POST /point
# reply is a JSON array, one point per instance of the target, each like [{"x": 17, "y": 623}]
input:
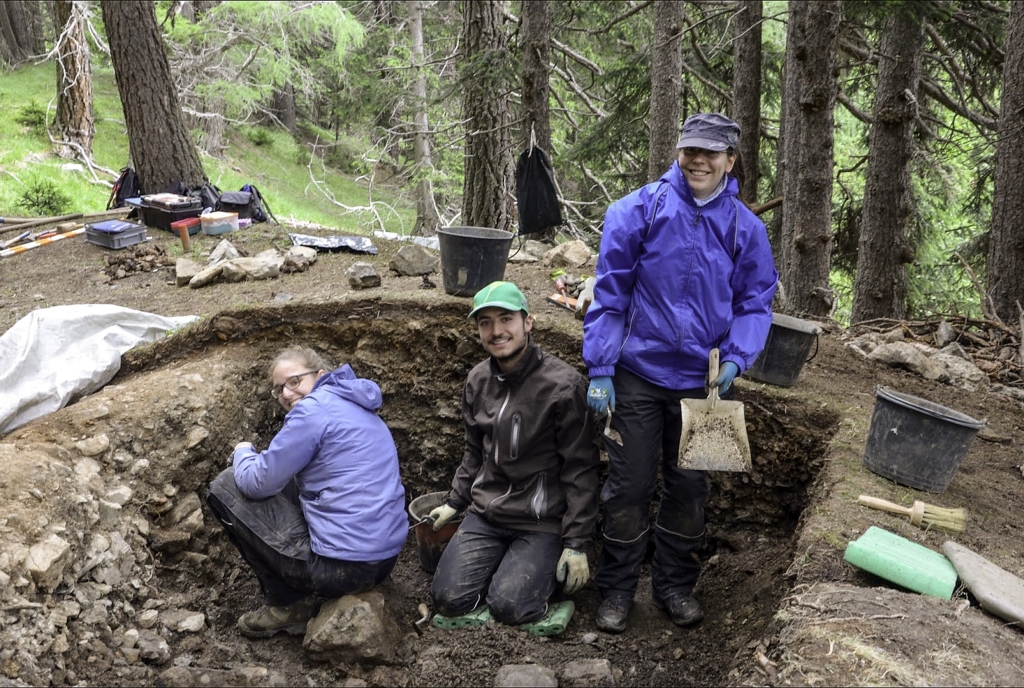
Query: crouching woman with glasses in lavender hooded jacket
[{"x": 321, "y": 512}]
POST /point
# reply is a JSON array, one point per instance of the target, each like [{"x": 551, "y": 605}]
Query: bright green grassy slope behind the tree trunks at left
[{"x": 296, "y": 187}]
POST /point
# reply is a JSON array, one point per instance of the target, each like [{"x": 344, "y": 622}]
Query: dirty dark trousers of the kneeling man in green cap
[{"x": 513, "y": 571}]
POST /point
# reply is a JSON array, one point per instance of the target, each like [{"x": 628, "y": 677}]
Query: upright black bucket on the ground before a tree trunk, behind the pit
[{"x": 473, "y": 257}]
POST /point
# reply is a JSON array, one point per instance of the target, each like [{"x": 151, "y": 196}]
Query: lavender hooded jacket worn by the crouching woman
[{"x": 346, "y": 464}]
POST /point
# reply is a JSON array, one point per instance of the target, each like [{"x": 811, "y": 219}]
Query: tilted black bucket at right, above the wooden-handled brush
[{"x": 917, "y": 443}]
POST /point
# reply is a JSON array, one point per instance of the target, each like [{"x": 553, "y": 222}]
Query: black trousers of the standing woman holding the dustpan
[{"x": 650, "y": 420}]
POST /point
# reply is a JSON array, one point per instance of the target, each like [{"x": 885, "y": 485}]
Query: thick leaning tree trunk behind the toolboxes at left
[{"x": 161, "y": 148}]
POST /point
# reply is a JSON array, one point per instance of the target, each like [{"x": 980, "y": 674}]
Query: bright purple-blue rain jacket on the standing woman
[{"x": 675, "y": 283}]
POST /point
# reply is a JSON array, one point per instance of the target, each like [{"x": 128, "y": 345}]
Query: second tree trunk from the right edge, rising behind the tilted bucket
[{"x": 880, "y": 288}]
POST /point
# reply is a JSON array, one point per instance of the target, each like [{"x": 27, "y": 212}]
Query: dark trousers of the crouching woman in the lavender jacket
[{"x": 273, "y": 538}]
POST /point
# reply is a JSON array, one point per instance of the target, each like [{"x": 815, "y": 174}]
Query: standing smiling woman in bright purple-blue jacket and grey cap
[{"x": 685, "y": 268}]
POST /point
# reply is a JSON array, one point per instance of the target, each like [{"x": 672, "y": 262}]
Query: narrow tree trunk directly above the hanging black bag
[{"x": 536, "y": 70}]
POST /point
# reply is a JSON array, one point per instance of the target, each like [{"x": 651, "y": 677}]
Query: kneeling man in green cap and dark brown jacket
[{"x": 528, "y": 481}]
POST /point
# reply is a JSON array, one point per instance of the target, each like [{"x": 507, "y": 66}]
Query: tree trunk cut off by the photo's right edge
[{"x": 1006, "y": 252}]
